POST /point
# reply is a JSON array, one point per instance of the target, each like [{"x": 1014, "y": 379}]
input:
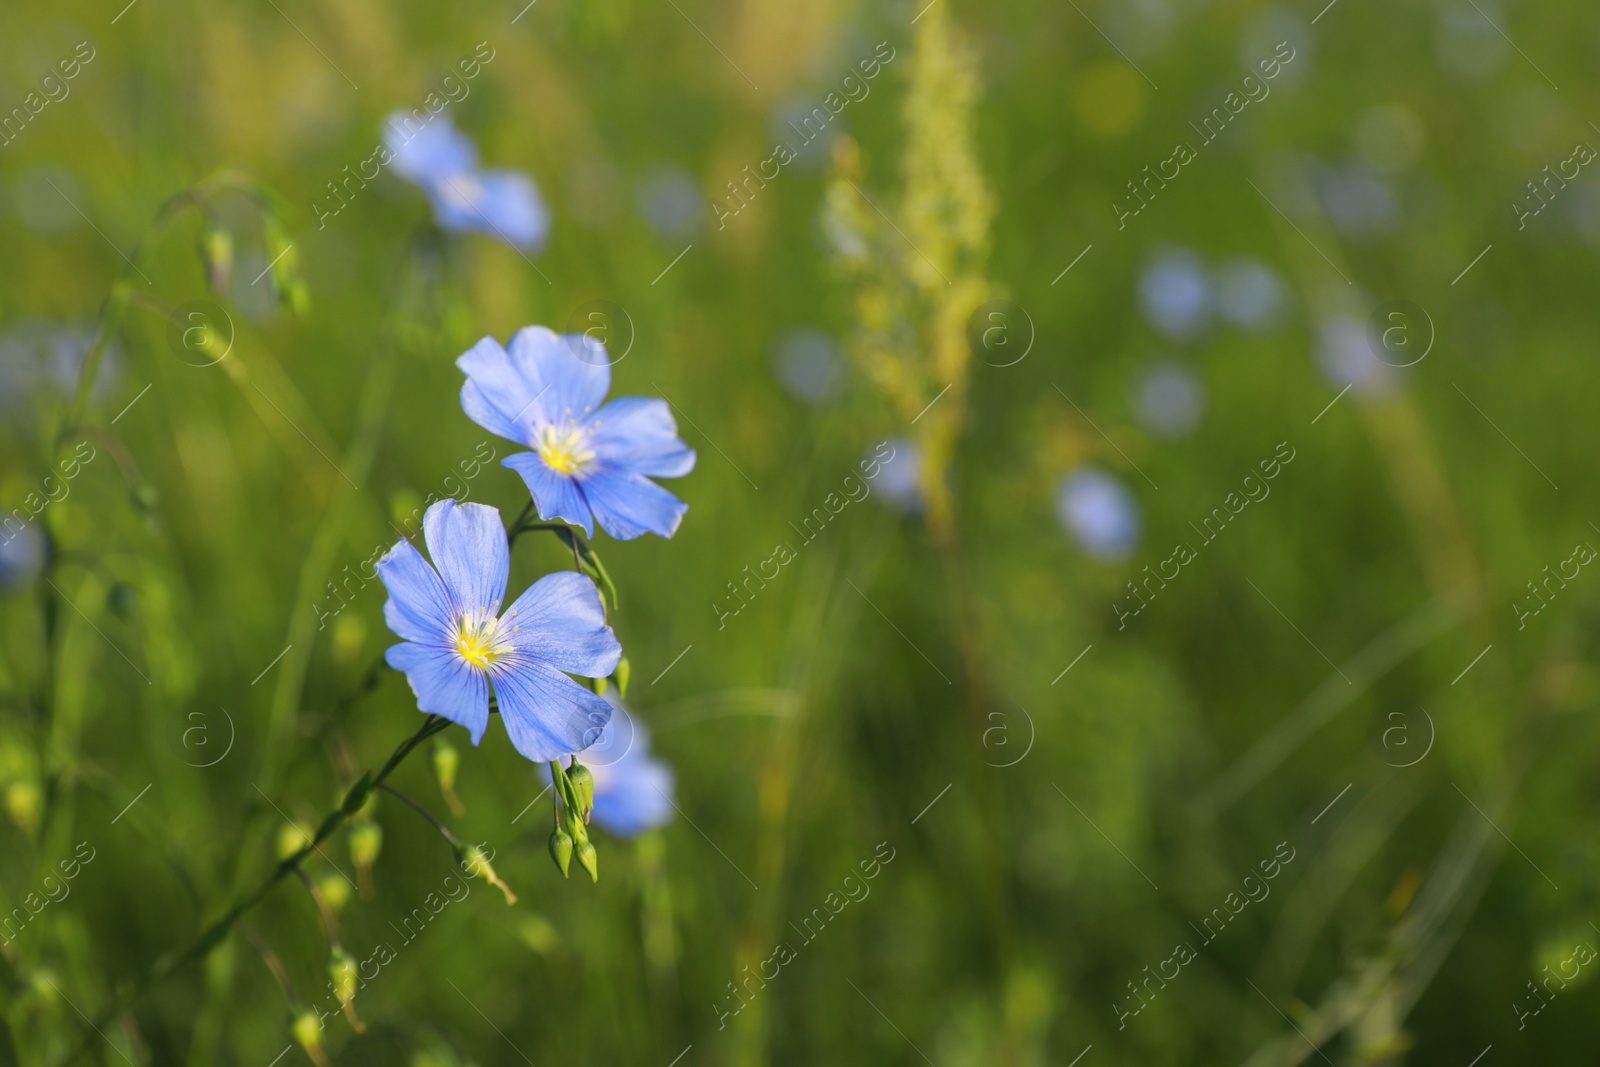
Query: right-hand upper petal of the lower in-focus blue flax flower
[{"x": 559, "y": 621}]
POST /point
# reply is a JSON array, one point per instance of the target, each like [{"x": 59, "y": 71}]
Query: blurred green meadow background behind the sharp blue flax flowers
[{"x": 1372, "y": 668}]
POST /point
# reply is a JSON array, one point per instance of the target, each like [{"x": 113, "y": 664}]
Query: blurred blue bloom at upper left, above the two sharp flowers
[{"x": 442, "y": 161}]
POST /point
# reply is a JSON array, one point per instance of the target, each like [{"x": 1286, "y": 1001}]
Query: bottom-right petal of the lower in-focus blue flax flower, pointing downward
[{"x": 548, "y": 714}]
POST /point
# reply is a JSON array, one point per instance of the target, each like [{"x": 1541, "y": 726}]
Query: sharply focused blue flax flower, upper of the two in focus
[{"x": 590, "y": 463}]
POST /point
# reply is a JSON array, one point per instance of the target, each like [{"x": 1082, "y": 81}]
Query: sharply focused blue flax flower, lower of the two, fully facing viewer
[{"x": 457, "y": 642}]
